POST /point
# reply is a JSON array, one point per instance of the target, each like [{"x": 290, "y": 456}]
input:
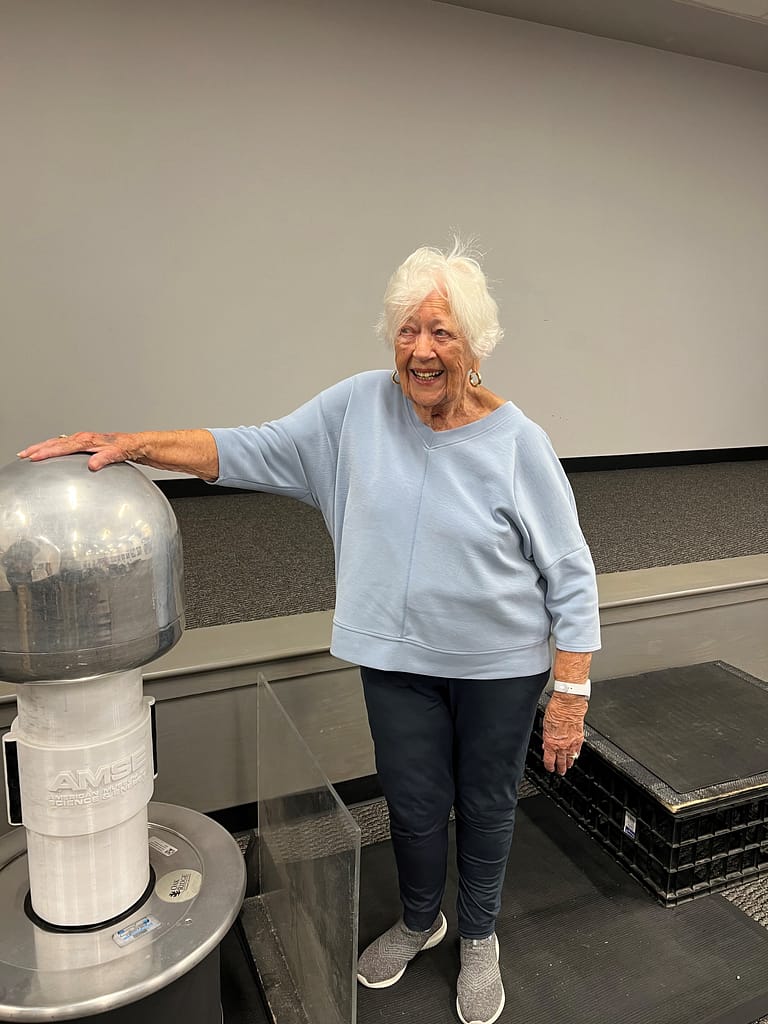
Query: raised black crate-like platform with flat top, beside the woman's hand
[{"x": 673, "y": 778}]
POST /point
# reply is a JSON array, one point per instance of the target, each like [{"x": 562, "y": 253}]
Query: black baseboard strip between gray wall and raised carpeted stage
[{"x": 191, "y": 488}]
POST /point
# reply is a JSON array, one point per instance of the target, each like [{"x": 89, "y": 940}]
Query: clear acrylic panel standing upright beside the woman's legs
[{"x": 309, "y": 858}]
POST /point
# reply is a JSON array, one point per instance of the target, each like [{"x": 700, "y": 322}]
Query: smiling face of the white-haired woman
[{"x": 434, "y": 360}]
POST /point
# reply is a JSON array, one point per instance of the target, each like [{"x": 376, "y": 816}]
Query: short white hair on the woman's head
[{"x": 459, "y": 279}]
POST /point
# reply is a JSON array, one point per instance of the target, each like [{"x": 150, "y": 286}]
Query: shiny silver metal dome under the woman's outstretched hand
[{"x": 91, "y": 571}]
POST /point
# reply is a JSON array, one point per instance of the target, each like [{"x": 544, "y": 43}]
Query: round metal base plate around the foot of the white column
[{"x": 60, "y": 975}]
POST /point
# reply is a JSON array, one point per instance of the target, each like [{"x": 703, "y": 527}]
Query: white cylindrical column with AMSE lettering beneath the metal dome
[{"x": 86, "y": 764}]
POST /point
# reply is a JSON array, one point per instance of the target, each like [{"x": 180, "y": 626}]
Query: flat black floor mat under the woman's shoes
[{"x": 580, "y": 941}]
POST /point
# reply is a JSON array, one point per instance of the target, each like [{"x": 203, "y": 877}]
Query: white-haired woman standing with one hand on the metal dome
[{"x": 458, "y": 557}]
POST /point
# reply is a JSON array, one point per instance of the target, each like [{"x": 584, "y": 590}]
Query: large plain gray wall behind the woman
[{"x": 203, "y": 202}]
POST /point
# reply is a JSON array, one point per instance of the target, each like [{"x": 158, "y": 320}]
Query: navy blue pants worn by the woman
[{"x": 443, "y": 743}]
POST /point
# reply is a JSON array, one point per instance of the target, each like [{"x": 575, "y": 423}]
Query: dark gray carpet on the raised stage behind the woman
[{"x": 250, "y": 557}]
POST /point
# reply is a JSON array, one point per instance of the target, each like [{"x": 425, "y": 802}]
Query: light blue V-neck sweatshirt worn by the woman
[{"x": 458, "y": 552}]
